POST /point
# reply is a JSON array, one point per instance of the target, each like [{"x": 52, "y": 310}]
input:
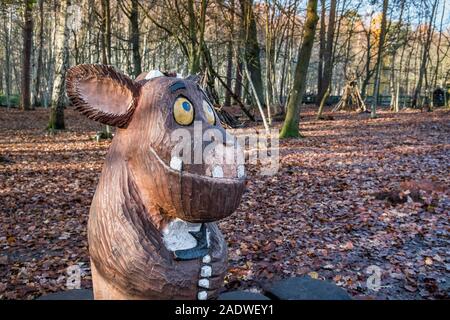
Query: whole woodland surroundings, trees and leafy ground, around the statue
[{"x": 366, "y": 188}]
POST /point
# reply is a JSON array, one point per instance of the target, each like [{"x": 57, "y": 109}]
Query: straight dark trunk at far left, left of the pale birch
[{"x": 25, "y": 100}]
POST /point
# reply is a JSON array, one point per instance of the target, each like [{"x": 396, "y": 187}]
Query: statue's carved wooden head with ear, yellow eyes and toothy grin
[{"x": 148, "y": 112}]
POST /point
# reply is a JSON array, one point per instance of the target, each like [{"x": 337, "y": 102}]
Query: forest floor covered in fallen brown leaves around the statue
[{"x": 354, "y": 193}]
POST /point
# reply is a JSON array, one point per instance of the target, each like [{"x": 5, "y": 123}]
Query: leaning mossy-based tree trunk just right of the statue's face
[{"x": 291, "y": 122}]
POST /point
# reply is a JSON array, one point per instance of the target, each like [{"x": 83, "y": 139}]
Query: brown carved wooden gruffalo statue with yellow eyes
[{"x": 152, "y": 231}]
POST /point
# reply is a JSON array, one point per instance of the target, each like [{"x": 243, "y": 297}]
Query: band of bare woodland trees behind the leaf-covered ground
[{"x": 397, "y": 51}]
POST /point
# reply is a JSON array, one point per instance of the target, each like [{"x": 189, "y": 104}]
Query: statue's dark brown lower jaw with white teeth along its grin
[{"x": 205, "y": 196}]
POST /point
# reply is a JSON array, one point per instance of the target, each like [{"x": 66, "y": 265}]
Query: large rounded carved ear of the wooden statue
[{"x": 102, "y": 93}]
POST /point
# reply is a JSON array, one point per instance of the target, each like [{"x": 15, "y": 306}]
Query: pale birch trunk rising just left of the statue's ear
[{"x": 61, "y": 65}]
